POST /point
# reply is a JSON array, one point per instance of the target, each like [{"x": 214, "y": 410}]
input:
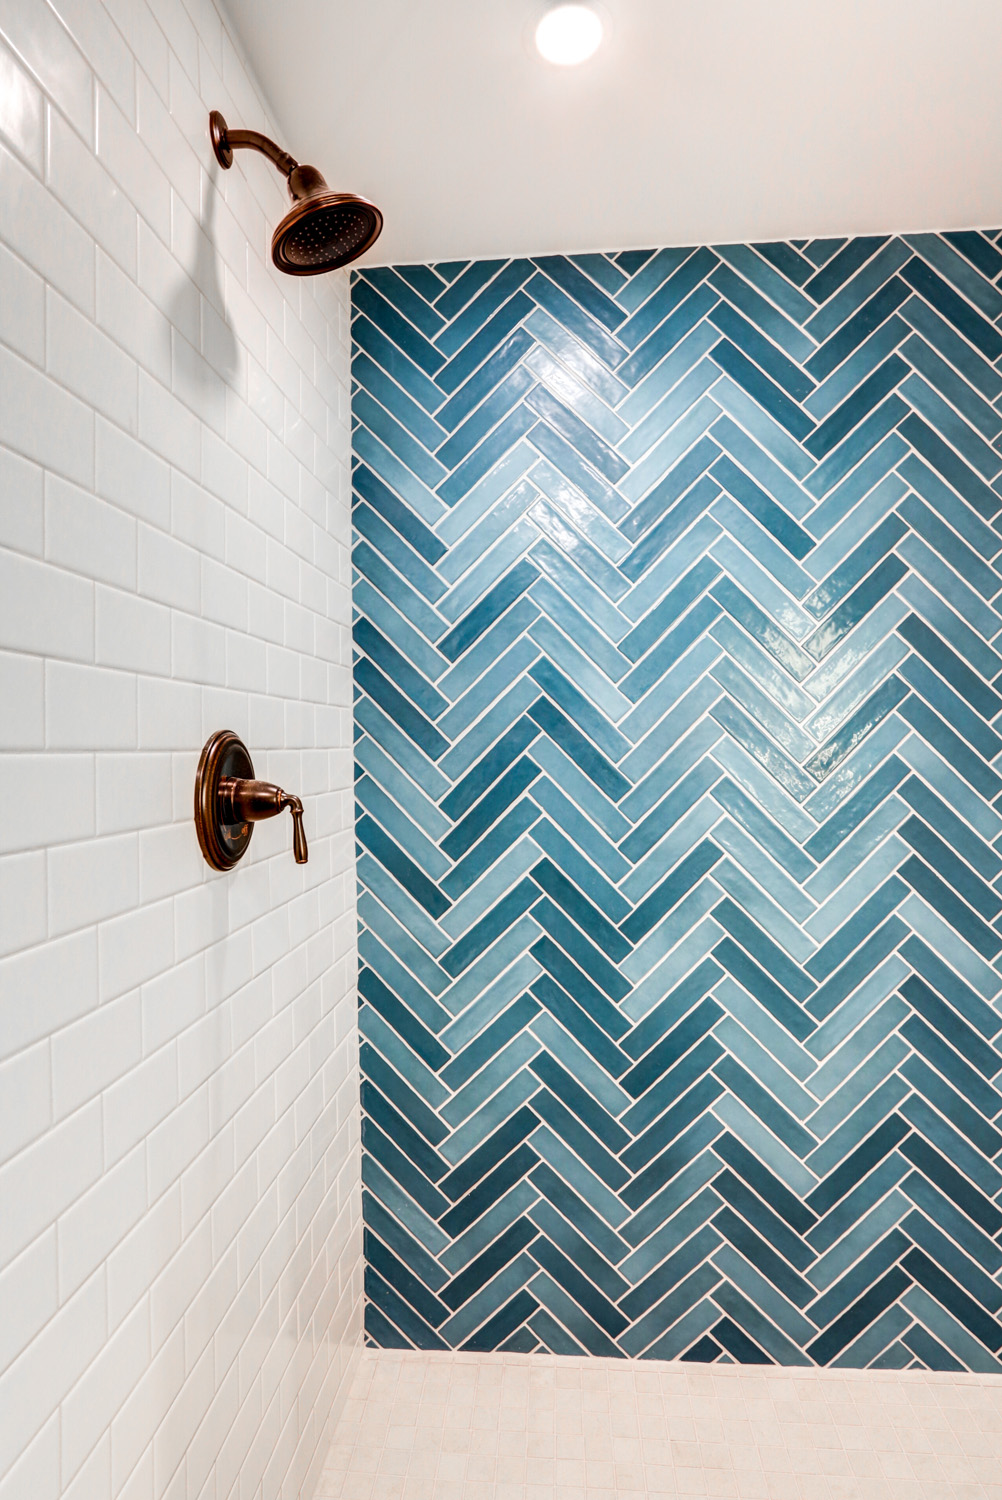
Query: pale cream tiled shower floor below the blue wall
[{"x": 536, "y": 1427}]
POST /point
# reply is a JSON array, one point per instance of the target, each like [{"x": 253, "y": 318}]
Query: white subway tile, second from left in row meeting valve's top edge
[{"x": 89, "y": 707}]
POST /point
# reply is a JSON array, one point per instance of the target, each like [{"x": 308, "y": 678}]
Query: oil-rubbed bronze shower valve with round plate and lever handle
[{"x": 229, "y": 803}]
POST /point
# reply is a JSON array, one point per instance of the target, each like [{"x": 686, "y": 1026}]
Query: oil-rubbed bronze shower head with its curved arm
[{"x": 323, "y": 230}]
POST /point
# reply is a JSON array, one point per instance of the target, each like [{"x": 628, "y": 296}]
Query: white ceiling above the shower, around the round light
[{"x": 700, "y": 121}]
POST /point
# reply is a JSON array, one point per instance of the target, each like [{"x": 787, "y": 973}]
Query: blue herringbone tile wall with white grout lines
[{"x": 680, "y": 802}]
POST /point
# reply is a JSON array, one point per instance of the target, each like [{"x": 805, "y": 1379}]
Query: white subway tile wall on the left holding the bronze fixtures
[{"x": 181, "y": 1276}]
